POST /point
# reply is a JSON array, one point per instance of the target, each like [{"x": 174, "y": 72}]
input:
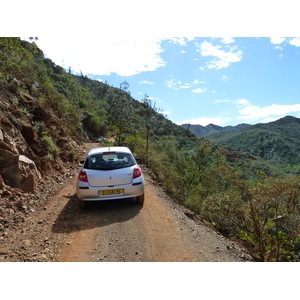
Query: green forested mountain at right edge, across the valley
[{"x": 277, "y": 142}]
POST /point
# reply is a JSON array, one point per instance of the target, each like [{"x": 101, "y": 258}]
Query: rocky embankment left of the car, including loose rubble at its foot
[{"x": 36, "y": 151}]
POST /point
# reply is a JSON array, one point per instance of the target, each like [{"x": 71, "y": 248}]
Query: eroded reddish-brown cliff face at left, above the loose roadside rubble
[{"x": 34, "y": 143}]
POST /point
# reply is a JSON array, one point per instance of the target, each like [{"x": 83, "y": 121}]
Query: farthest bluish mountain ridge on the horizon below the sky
[{"x": 202, "y": 131}]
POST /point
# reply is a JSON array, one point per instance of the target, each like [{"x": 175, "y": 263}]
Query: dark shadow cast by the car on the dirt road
[{"x": 96, "y": 214}]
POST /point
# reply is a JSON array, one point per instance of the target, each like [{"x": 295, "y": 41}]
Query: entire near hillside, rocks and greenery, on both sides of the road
[{"x": 46, "y": 113}]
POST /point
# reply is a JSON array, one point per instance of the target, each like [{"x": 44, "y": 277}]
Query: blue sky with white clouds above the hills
[{"x": 197, "y": 80}]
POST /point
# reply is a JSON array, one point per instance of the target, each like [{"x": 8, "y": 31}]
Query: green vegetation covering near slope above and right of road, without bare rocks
[{"x": 244, "y": 197}]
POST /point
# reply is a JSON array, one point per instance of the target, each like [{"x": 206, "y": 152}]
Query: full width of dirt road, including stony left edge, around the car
[{"x": 121, "y": 230}]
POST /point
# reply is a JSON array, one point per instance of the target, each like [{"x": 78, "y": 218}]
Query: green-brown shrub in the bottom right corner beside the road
[{"x": 266, "y": 217}]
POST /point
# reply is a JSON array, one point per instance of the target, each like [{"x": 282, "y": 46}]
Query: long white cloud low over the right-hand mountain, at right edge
[{"x": 252, "y": 112}]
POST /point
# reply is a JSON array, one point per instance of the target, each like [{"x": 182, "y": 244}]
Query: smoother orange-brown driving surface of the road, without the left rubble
[{"x": 124, "y": 231}]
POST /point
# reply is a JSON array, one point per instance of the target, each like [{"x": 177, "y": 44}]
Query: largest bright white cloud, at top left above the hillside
[{"x": 103, "y": 55}]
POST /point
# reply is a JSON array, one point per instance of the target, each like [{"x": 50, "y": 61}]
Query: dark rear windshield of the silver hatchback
[{"x": 109, "y": 161}]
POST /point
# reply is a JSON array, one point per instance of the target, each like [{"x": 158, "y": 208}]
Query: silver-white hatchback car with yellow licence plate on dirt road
[{"x": 110, "y": 173}]
